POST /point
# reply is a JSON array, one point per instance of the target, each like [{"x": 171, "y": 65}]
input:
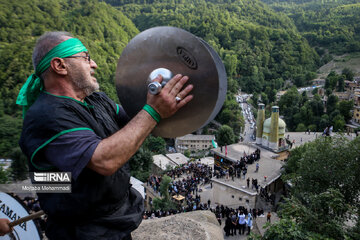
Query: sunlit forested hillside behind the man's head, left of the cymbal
[{"x": 105, "y": 37}]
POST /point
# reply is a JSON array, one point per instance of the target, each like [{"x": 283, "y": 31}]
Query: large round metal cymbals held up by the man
[{"x": 180, "y": 52}]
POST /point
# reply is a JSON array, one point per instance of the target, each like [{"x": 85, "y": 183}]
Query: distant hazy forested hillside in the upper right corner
[{"x": 328, "y": 25}]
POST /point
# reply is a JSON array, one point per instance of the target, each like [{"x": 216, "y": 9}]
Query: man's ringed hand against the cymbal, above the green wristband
[{"x": 165, "y": 102}]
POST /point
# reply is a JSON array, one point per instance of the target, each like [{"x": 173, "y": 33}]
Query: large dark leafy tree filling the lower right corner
[{"x": 324, "y": 175}]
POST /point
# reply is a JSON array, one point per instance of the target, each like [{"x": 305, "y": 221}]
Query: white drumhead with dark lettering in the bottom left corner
[{"x": 12, "y": 209}]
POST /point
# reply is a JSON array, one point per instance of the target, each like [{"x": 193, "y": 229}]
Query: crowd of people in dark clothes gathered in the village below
[{"x": 186, "y": 181}]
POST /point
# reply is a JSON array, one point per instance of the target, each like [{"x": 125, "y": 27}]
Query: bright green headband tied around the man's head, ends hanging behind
[{"x": 33, "y": 85}]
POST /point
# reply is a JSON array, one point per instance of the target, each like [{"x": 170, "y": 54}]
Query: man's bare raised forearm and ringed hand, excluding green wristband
[{"x": 113, "y": 152}]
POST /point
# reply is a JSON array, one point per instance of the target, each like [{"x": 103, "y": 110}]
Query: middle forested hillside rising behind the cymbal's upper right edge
[{"x": 260, "y": 47}]
